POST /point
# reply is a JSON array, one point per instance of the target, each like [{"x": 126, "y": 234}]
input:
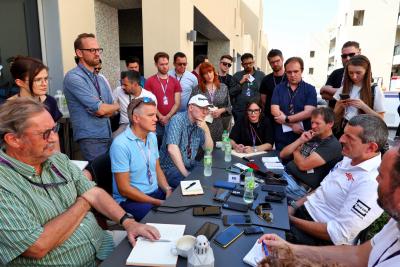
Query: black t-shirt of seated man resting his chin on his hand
[{"x": 329, "y": 149}]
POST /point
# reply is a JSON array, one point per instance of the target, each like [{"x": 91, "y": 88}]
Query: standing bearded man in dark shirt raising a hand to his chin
[{"x": 250, "y": 80}]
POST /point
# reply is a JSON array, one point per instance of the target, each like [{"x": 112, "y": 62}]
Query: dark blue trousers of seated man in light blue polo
[{"x": 140, "y": 209}]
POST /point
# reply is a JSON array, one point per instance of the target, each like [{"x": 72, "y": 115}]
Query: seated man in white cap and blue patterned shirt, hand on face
[{"x": 183, "y": 137}]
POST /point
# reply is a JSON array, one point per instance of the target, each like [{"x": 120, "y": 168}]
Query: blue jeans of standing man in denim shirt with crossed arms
[{"x": 94, "y": 147}]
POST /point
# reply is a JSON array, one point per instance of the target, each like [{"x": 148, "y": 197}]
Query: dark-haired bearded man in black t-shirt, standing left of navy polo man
[{"x": 269, "y": 82}]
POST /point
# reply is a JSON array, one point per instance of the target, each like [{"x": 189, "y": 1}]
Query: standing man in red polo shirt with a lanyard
[{"x": 167, "y": 91}]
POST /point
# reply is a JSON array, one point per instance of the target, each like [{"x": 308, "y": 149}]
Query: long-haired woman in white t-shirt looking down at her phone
[{"x": 357, "y": 95}]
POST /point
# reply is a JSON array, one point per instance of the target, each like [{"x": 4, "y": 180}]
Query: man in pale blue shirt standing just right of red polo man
[{"x": 186, "y": 79}]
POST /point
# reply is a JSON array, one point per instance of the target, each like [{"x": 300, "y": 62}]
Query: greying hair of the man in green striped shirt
[{"x": 15, "y": 113}]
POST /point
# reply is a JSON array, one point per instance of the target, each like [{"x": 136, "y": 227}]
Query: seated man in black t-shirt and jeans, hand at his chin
[{"x": 314, "y": 154}]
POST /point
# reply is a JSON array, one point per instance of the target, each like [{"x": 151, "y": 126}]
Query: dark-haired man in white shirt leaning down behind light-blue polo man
[{"x": 130, "y": 89}]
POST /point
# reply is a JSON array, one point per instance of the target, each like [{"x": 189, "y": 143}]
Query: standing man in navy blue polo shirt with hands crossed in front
[{"x": 291, "y": 104}]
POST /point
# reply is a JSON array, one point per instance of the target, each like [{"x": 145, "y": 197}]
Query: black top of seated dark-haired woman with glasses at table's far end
[{"x": 241, "y": 133}]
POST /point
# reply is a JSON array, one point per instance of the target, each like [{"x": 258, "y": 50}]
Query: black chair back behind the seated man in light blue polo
[{"x": 100, "y": 168}]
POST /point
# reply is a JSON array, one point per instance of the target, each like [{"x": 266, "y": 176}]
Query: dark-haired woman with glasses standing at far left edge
[{"x": 32, "y": 78}]
